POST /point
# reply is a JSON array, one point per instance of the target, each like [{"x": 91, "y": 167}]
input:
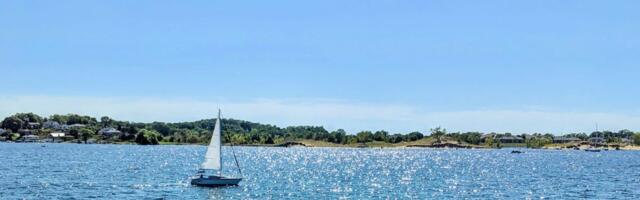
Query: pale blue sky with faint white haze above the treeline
[{"x": 516, "y": 66}]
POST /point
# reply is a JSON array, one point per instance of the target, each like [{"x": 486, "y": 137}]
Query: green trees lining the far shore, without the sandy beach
[{"x": 82, "y": 128}]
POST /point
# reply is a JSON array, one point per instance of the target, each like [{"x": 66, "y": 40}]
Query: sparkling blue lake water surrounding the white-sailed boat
[{"x": 73, "y": 171}]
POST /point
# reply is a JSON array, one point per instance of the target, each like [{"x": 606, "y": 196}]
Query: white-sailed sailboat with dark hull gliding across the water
[{"x": 209, "y": 174}]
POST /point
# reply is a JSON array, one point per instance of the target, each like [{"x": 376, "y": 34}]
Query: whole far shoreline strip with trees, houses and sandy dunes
[{"x": 74, "y": 128}]
